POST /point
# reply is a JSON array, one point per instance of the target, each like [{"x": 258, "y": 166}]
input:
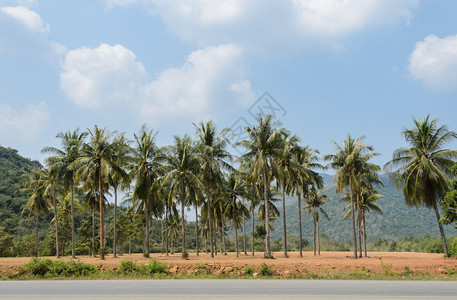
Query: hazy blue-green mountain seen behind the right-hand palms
[{"x": 398, "y": 220}]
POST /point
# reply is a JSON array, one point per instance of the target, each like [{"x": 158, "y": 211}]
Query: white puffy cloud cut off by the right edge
[{"x": 434, "y": 62}]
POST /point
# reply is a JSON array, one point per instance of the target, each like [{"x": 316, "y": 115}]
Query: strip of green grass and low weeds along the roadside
[{"x": 38, "y": 269}]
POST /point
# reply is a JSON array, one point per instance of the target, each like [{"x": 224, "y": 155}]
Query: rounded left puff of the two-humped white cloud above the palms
[{"x": 107, "y": 75}]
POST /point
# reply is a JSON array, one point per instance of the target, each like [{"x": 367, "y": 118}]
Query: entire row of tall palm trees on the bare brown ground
[{"x": 203, "y": 174}]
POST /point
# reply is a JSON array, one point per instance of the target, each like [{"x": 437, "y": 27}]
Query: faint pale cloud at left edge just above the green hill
[{"x": 22, "y": 125}]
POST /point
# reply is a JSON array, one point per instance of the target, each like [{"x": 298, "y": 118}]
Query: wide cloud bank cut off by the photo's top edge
[{"x": 267, "y": 24}]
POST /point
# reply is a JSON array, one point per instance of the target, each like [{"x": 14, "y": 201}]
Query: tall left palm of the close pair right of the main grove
[{"x": 350, "y": 161}]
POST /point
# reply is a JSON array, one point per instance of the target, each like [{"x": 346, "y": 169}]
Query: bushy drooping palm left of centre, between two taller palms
[{"x": 182, "y": 167}]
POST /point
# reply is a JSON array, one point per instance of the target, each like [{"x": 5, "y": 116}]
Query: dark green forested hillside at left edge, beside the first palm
[{"x": 12, "y": 167}]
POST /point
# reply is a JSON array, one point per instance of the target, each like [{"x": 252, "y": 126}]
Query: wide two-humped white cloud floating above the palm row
[{"x": 110, "y": 77}]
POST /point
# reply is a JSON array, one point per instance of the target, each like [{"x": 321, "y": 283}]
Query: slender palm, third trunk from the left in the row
[{"x": 61, "y": 164}]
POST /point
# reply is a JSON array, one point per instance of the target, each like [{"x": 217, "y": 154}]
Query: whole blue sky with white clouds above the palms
[{"x": 364, "y": 67}]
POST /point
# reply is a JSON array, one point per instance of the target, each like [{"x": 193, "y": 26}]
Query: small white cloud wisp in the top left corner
[{"x": 27, "y": 17}]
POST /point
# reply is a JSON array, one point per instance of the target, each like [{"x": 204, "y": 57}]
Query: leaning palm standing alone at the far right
[{"x": 425, "y": 167}]
